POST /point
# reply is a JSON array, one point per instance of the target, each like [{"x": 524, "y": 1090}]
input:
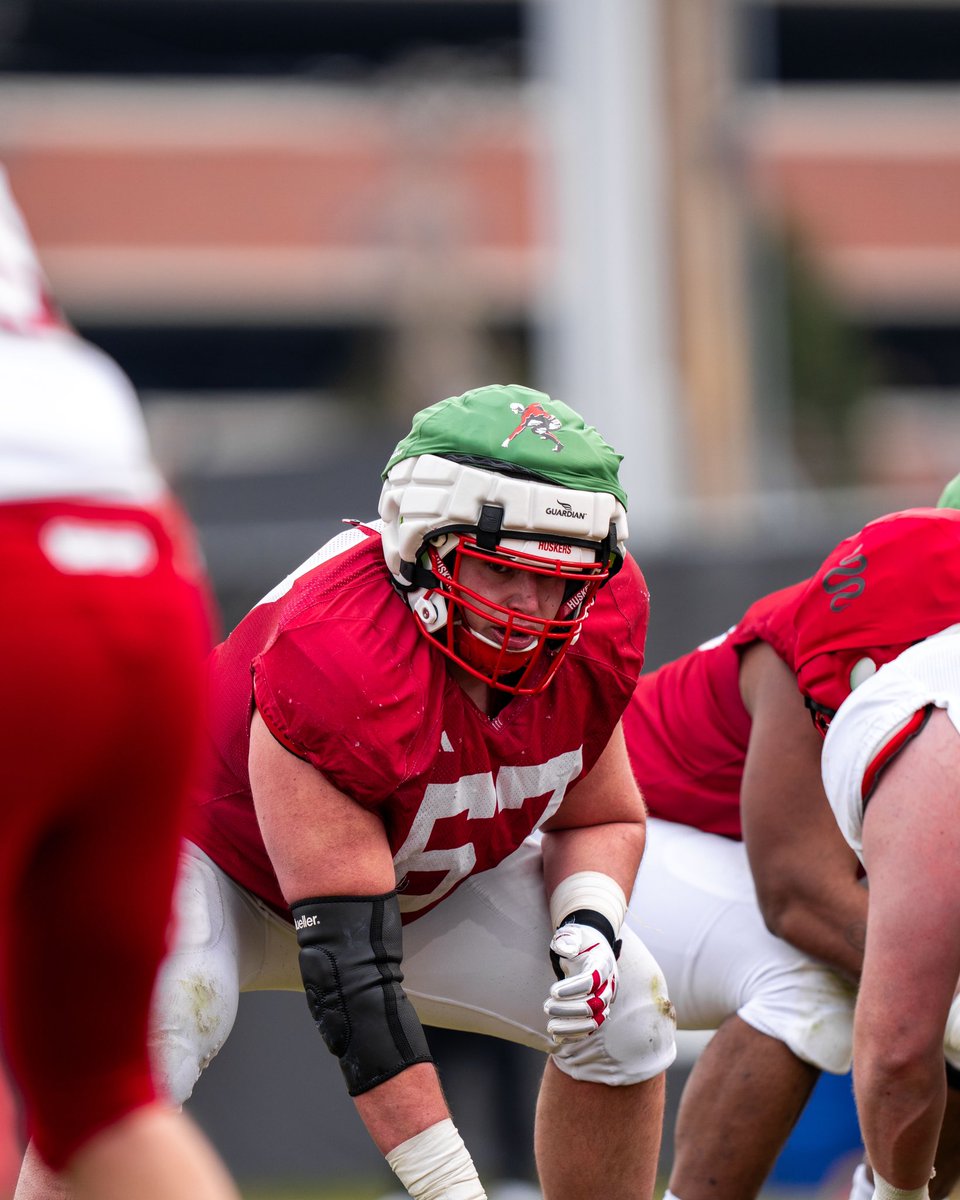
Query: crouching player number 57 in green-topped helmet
[{"x": 391, "y": 724}]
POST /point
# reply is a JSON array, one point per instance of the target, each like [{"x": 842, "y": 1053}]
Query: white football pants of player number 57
[{"x": 479, "y": 962}]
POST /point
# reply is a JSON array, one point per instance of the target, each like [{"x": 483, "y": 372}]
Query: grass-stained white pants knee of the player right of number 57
[{"x": 811, "y": 1011}]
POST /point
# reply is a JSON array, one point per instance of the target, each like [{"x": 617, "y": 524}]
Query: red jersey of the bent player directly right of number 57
[{"x": 687, "y": 728}]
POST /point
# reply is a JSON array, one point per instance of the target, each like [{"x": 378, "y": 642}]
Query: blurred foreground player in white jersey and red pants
[{"x": 99, "y": 729}]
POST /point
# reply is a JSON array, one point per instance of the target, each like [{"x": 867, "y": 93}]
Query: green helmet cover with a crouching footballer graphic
[{"x": 519, "y": 428}]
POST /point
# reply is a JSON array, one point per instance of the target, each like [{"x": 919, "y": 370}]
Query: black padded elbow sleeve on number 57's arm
[{"x": 351, "y": 950}]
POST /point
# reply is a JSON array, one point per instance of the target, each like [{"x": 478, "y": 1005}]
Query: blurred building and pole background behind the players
[{"x": 729, "y": 231}]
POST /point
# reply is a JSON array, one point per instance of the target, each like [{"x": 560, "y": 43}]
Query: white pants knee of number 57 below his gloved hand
[{"x": 638, "y": 1041}]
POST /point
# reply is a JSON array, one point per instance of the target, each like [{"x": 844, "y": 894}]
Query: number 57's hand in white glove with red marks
[{"x": 586, "y": 965}]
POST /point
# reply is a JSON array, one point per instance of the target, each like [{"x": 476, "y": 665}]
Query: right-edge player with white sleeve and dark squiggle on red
[{"x": 879, "y": 661}]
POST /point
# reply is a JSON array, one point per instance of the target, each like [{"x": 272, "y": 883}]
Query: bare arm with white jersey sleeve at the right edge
[{"x": 896, "y": 743}]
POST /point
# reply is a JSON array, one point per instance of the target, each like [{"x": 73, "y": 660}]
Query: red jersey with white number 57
[{"x": 345, "y": 680}]
